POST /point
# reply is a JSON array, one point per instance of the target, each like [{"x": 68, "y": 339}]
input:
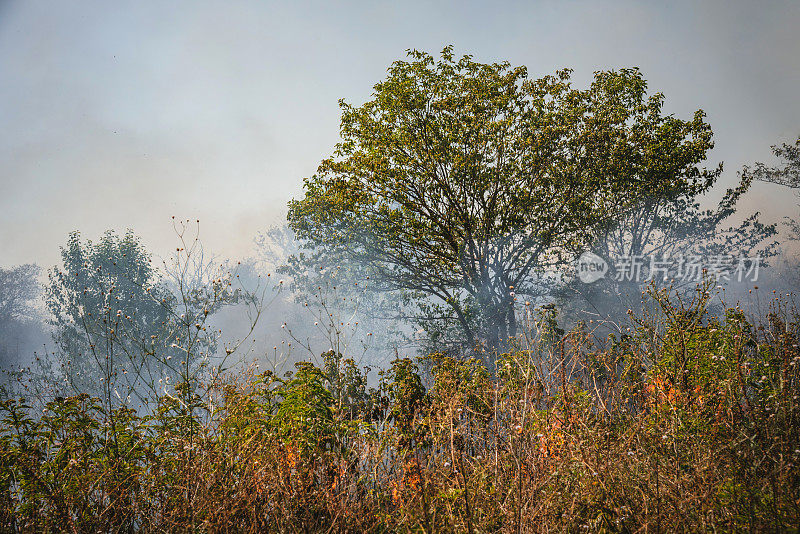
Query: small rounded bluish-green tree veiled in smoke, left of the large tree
[{"x": 110, "y": 306}]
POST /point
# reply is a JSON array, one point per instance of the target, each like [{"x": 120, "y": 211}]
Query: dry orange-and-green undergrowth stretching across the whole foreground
[{"x": 689, "y": 423}]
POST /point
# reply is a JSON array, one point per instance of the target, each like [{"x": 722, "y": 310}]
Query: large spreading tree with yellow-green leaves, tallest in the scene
[{"x": 464, "y": 181}]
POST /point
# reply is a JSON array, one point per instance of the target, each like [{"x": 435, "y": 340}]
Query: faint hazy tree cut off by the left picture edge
[{"x": 19, "y": 289}]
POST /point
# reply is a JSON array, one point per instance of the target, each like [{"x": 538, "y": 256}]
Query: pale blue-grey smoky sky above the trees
[{"x": 122, "y": 114}]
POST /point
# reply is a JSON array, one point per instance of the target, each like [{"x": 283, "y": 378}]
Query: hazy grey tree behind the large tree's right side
[{"x": 667, "y": 227}]
